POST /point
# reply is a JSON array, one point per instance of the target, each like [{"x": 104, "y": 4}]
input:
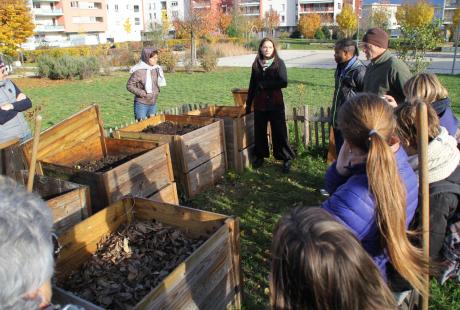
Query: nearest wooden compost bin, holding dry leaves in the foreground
[{"x": 209, "y": 278}]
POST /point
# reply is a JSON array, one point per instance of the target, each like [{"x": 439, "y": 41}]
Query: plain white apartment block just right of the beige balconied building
[{"x": 125, "y": 20}]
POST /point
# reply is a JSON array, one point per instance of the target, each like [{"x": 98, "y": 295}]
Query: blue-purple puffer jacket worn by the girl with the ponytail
[{"x": 352, "y": 204}]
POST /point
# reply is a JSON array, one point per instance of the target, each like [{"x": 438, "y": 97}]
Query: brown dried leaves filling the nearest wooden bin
[{"x": 130, "y": 263}]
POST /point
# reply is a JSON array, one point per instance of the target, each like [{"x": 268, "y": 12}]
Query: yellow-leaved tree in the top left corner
[{"x": 16, "y": 25}]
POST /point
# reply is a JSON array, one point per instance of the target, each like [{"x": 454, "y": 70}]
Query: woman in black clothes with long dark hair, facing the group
[{"x": 268, "y": 77}]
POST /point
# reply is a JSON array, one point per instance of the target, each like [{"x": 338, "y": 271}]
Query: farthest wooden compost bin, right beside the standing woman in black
[{"x": 239, "y": 133}]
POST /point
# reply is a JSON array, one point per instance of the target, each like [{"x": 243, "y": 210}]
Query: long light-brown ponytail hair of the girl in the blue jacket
[{"x": 368, "y": 122}]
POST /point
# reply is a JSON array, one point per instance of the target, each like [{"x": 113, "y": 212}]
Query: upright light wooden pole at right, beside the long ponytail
[{"x": 424, "y": 193}]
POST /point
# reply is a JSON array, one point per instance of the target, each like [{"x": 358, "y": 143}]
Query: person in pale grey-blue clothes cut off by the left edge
[{"x": 12, "y": 103}]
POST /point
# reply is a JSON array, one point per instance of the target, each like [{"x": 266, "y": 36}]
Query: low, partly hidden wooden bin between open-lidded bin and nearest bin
[{"x": 69, "y": 202}]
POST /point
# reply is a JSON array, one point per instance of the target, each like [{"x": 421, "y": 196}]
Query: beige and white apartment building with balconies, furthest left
[{"x": 67, "y": 23}]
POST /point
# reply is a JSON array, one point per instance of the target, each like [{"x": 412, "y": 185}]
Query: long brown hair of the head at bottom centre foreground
[{"x": 319, "y": 264}]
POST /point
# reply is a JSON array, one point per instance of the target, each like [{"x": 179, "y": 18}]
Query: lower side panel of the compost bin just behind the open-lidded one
[{"x": 205, "y": 175}]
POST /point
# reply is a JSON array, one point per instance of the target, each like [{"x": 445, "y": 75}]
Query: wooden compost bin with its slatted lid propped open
[{"x": 81, "y": 138}]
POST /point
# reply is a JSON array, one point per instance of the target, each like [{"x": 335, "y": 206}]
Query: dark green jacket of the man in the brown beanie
[{"x": 386, "y": 76}]
